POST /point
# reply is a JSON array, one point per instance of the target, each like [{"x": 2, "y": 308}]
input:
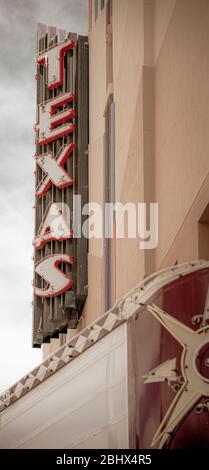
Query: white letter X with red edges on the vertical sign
[{"x": 54, "y": 171}]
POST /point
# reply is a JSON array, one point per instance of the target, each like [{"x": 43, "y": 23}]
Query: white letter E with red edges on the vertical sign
[{"x": 51, "y": 124}]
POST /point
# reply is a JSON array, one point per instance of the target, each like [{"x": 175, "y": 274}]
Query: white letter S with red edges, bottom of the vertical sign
[{"x": 57, "y": 282}]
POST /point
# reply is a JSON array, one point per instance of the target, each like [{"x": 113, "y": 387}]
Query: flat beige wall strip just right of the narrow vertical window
[{"x": 128, "y": 97}]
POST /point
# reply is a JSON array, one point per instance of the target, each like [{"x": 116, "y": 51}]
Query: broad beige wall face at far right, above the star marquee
[{"x": 181, "y": 127}]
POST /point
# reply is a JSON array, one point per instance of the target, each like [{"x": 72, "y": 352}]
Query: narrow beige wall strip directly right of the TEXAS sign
[{"x": 97, "y": 101}]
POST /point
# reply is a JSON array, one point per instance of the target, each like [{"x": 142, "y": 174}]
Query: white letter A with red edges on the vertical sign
[{"x": 54, "y": 227}]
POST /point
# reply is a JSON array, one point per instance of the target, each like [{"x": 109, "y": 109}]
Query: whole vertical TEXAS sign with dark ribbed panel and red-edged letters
[{"x": 60, "y": 260}]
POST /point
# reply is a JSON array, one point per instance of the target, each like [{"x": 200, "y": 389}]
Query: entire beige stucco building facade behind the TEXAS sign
[{"x": 161, "y": 95}]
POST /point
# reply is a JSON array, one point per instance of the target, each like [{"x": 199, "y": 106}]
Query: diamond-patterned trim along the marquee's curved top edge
[{"x": 126, "y": 309}]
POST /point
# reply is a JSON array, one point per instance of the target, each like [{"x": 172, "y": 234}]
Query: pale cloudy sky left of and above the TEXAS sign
[{"x": 18, "y": 19}]
